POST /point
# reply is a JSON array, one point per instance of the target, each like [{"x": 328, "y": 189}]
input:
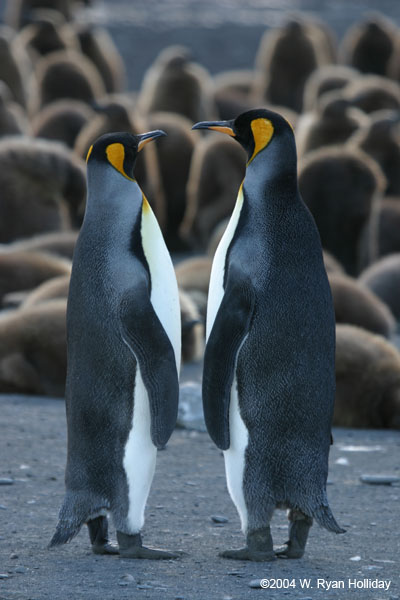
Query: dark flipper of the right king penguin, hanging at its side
[{"x": 229, "y": 330}]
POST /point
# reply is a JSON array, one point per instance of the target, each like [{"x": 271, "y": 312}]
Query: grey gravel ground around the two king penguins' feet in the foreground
[{"x": 188, "y": 489}]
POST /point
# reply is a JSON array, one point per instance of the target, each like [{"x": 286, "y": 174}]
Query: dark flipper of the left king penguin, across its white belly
[{"x": 144, "y": 334}]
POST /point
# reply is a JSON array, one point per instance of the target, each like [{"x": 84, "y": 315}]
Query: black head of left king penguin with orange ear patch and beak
[{"x": 120, "y": 150}]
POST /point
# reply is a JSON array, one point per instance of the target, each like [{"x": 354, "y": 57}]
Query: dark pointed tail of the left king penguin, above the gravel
[{"x": 76, "y": 510}]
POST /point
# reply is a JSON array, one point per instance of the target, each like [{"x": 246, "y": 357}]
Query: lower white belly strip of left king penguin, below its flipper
[{"x": 140, "y": 457}]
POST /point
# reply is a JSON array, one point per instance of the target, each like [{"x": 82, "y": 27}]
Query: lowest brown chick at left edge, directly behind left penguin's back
[{"x": 33, "y": 349}]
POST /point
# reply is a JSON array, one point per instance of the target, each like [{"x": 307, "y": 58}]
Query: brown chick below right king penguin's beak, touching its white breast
[{"x": 216, "y": 172}]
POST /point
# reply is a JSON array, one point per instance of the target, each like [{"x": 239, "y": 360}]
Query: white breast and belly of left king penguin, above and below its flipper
[{"x": 140, "y": 452}]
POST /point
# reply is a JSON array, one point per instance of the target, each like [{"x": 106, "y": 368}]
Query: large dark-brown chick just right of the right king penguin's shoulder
[{"x": 341, "y": 186}]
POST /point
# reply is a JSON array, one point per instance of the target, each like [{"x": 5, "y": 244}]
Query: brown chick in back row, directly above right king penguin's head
[{"x": 285, "y": 59}]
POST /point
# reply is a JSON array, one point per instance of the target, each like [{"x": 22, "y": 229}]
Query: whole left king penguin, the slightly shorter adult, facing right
[{"x": 124, "y": 332}]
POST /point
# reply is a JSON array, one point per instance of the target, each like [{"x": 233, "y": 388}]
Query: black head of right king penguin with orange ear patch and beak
[{"x": 253, "y": 129}]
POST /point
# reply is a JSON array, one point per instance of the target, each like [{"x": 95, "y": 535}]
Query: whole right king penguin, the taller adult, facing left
[{"x": 269, "y": 366}]
